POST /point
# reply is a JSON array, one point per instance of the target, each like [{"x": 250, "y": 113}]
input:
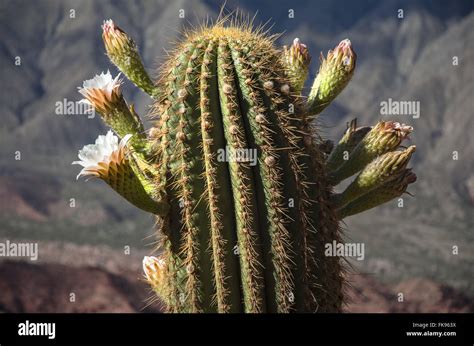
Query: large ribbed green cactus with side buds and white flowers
[{"x": 235, "y": 171}]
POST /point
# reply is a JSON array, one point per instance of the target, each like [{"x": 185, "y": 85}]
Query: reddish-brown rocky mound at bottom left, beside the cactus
[{"x": 93, "y": 289}]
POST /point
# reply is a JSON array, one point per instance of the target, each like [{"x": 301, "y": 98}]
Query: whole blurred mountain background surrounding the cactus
[{"x": 91, "y": 241}]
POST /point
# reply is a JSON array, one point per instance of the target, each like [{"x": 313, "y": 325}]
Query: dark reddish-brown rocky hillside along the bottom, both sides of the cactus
[{"x": 36, "y": 288}]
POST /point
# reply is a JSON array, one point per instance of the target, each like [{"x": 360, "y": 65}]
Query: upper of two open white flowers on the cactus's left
[{"x": 102, "y": 91}]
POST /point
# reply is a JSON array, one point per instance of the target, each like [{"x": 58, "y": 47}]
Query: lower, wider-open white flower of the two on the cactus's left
[{"x": 96, "y": 158}]
